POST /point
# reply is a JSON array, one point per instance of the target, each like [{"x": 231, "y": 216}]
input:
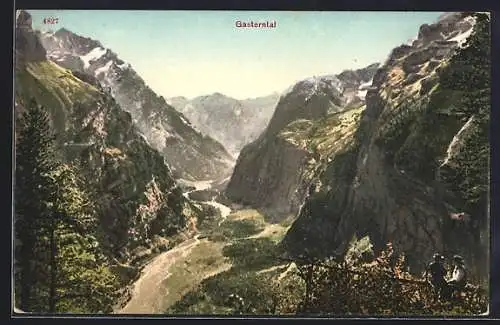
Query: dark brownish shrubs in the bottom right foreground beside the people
[{"x": 378, "y": 287}]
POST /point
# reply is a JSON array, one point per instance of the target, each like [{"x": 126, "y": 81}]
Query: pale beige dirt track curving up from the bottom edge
[{"x": 147, "y": 289}]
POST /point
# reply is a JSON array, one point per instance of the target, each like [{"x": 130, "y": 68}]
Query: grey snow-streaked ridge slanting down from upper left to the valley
[{"x": 190, "y": 154}]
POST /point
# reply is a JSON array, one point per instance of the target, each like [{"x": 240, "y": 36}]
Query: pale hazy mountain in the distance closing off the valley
[{"x": 232, "y": 122}]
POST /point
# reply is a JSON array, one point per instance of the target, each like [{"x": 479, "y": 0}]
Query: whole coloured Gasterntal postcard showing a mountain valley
[{"x": 249, "y": 163}]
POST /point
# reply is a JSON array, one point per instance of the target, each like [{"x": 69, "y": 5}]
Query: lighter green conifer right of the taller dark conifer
[{"x": 80, "y": 280}]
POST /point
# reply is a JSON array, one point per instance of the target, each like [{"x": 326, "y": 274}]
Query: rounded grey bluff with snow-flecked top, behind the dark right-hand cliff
[{"x": 272, "y": 172}]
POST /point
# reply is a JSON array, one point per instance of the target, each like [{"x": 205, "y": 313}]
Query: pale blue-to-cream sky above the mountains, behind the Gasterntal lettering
[{"x": 192, "y": 53}]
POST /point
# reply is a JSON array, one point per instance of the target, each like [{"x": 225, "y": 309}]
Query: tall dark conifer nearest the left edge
[{"x": 35, "y": 158}]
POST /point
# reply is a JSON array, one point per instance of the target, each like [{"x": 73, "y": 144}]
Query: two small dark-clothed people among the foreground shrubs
[{"x": 436, "y": 274}]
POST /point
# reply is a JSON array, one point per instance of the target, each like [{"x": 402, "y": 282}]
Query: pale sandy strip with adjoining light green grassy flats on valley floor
[{"x": 171, "y": 275}]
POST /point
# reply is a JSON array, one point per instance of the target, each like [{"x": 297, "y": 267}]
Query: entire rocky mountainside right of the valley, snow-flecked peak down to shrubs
[{"x": 372, "y": 156}]
